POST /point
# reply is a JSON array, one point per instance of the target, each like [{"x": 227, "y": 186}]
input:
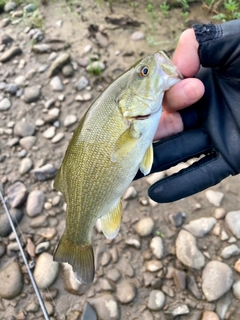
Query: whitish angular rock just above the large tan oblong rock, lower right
[{"x": 200, "y": 227}]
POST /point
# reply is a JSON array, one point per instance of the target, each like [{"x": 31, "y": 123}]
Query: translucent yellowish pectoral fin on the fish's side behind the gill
[{"x": 125, "y": 143}]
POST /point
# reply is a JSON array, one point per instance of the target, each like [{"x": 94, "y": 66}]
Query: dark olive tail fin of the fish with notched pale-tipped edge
[{"x": 79, "y": 256}]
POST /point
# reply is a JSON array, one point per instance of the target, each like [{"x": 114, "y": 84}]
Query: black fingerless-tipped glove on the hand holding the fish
[{"x": 211, "y": 126}]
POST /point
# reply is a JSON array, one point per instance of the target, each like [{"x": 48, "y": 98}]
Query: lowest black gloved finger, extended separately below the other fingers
[{"x": 207, "y": 172}]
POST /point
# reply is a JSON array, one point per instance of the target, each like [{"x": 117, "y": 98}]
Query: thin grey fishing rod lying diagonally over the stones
[{"x": 35, "y": 287}]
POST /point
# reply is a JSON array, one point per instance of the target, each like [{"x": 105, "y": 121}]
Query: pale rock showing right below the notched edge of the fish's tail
[{"x": 71, "y": 283}]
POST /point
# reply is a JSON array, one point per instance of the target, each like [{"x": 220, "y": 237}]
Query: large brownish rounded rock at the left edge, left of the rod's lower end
[{"x": 11, "y": 280}]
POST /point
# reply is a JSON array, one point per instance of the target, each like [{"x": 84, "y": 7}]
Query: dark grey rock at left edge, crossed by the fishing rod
[{"x": 5, "y": 227}]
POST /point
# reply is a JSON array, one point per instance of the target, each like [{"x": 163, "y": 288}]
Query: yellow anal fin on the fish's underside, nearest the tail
[{"x": 111, "y": 221}]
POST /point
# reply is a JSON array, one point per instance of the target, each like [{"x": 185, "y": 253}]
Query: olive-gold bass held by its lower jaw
[{"x": 112, "y": 142}]
